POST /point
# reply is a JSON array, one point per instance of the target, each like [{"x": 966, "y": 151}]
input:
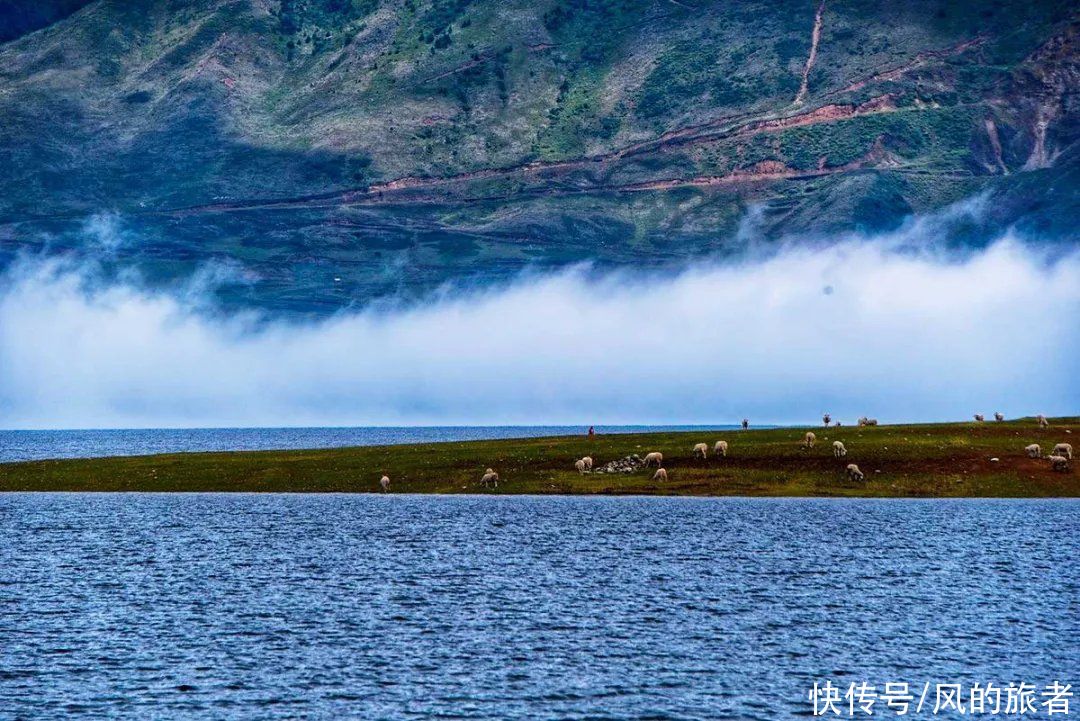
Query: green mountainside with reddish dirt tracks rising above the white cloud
[{"x": 335, "y": 152}]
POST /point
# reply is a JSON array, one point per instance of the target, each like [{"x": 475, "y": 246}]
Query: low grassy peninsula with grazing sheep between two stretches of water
[{"x": 928, "y": 460}]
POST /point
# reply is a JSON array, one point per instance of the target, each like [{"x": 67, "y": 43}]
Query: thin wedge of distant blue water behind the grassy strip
[{"x": 40, "y": 445}]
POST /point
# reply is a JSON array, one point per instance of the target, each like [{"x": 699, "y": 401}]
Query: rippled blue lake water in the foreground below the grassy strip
[{"x": 397, "y": 607}]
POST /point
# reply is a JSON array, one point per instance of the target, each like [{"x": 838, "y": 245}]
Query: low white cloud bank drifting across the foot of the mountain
[{"x": 860, "y": 328}]
